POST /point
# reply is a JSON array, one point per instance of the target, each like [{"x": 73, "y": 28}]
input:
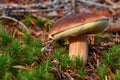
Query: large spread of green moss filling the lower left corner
[{"x": 23, "y": 51}]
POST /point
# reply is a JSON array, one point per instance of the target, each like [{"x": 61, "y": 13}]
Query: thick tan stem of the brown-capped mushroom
[{"x": 78, "y": 47}]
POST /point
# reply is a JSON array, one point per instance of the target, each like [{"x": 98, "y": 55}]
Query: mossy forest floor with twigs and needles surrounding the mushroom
[{"x": 26, "y": 53}]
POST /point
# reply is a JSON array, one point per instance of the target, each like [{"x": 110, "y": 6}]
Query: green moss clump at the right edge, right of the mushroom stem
[{"x": 113, "y": 56}]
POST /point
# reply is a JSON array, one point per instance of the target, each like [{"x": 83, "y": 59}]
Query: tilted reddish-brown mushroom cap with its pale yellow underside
[{"x": 76, "y": 24}]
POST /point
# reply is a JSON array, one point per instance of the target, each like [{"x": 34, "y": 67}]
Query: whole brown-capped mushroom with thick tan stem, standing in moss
[{"x": 76, "y": 27}]
